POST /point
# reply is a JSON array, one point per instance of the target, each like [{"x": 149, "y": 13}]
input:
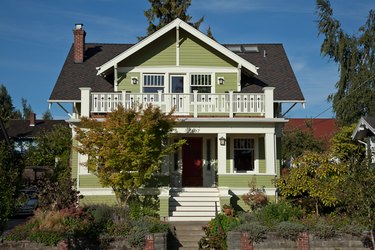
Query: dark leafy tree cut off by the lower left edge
[{"x": 9, "y": 180}]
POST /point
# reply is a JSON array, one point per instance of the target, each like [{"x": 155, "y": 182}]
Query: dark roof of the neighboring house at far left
[{"x": 22, "y": 128}]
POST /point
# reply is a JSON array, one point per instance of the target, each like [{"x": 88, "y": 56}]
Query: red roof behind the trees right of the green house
[{"x": 322, "y": 128}]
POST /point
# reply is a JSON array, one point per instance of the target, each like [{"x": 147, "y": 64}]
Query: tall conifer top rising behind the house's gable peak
[{"x": 163, "y": 12}]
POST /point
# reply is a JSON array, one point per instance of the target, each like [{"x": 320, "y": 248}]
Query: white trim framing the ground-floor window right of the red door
[{"x": 256, "y": 154}]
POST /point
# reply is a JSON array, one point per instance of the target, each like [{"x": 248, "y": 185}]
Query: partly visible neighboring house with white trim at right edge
[{"x": 365, "y": 134}]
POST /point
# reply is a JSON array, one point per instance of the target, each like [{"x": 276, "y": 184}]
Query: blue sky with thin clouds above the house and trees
[{"x": 36, "y": 35}]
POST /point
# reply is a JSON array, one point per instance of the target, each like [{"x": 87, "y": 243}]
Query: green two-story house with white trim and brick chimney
[{"x": 228, "y": 98}]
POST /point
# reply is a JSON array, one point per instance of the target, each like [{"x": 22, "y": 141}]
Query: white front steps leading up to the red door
[{"x": 193, "y": 204}]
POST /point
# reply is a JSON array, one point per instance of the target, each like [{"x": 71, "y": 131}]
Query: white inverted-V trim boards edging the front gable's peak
[{"x": 178, "y": 23}]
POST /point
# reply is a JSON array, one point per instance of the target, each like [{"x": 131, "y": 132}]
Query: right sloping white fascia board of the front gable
[{"x": 219, "y": 47}]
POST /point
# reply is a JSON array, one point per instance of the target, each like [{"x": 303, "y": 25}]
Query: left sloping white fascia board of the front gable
[{"x": 138, "y": 46}]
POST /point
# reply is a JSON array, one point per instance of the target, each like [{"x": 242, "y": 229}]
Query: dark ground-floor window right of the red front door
[{"x": 243, "y": 155}]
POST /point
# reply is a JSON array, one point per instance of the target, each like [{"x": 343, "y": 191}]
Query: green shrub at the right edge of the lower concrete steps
[{"x": 215, "y": 232}]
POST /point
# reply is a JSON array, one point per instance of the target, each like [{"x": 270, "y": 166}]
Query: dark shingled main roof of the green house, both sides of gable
[{"x": 274, "y": 71}]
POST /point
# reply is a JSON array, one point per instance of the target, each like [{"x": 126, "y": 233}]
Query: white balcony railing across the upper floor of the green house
[{"x": 196, "y": 104}]
